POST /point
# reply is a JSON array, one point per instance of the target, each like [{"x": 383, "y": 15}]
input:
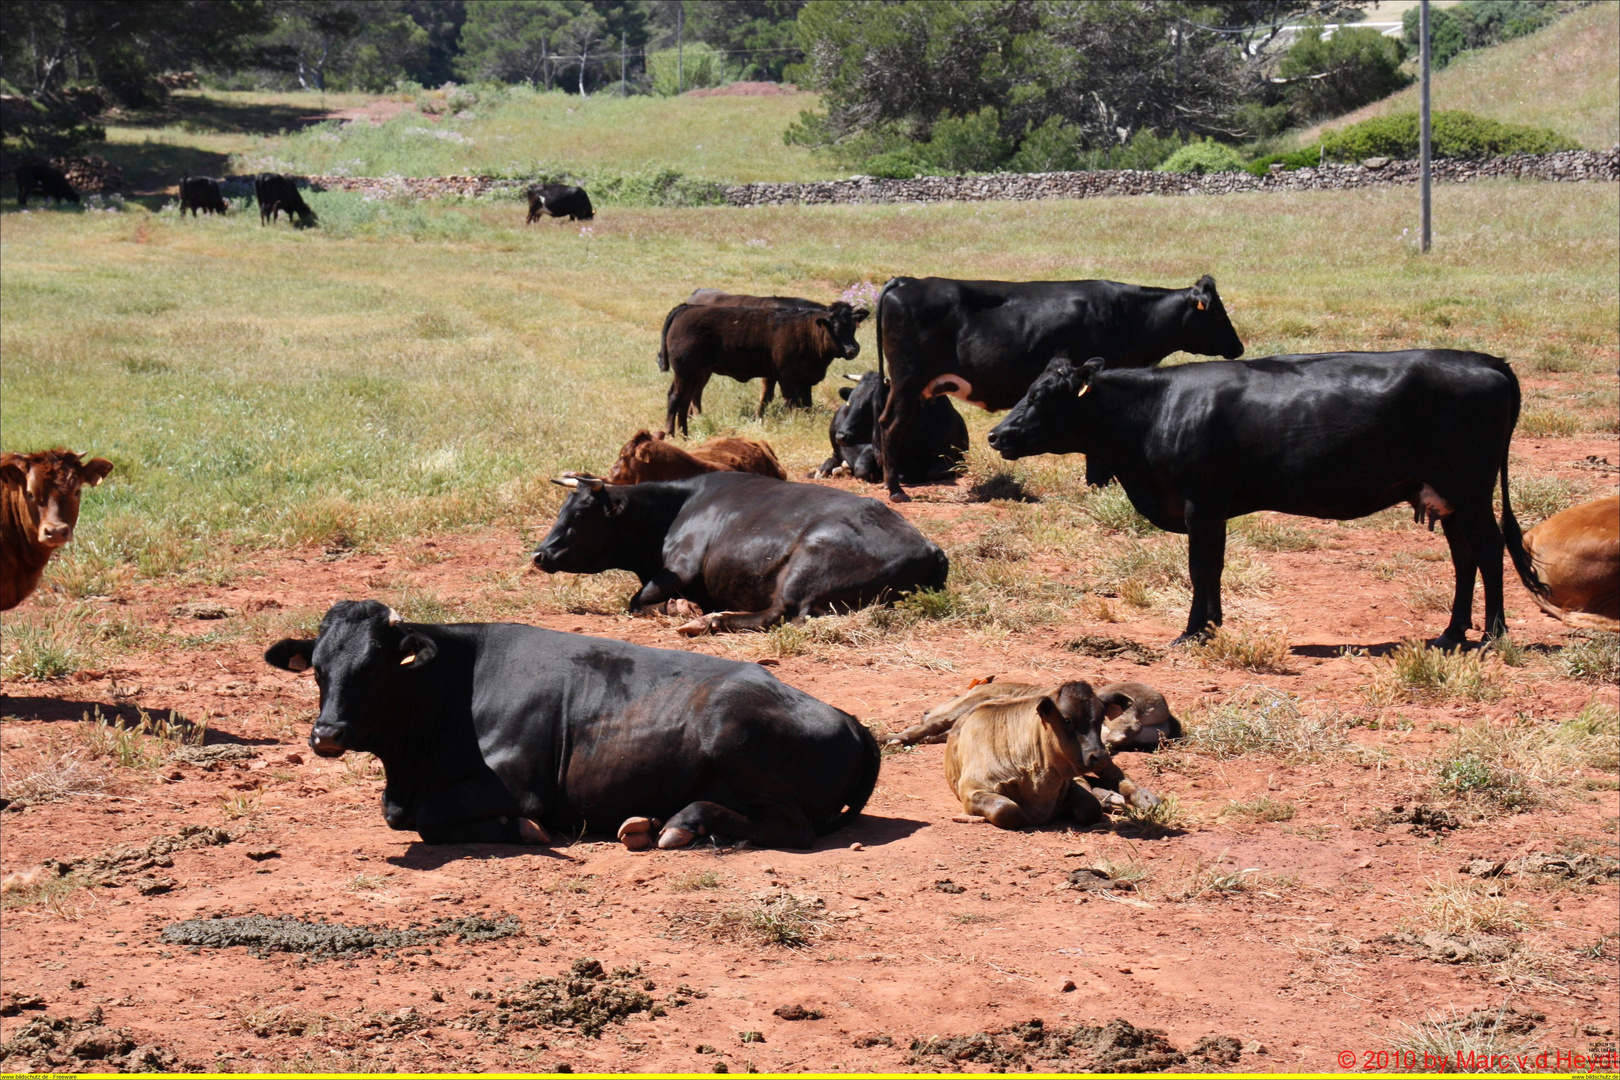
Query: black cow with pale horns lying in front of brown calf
[{"x": 751, "y": 550}]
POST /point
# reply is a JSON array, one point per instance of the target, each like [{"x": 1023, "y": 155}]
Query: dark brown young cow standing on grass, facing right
[{"x": 788, "y": 346}]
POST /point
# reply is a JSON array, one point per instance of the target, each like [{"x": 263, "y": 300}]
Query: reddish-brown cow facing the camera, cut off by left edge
[{"x": 40, "y": 506}]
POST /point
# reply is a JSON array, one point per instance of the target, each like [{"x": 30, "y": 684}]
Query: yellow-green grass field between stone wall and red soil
[{"x": 420, "y": 368}]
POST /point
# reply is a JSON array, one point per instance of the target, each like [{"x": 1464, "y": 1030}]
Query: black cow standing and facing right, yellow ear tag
[{"x": 986, "y": 342}]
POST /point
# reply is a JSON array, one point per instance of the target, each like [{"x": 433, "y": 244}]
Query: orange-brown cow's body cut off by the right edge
[{"x": 1577, "y": 555}]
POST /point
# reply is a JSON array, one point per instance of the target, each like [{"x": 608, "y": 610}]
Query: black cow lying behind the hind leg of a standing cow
[{"x": 934, "y": 449}]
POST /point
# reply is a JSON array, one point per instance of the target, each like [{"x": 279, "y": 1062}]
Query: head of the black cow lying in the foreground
[{"x": 365, "y": 661}]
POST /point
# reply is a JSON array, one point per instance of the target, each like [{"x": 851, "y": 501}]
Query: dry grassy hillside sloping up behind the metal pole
[{"x": 1566, "y": 77}]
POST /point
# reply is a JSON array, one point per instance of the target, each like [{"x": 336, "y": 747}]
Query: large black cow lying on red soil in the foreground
[{"x": 503, "y": 734}]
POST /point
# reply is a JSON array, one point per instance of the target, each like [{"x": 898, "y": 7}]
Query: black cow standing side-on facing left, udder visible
[{"x": 1328, "y": 436}]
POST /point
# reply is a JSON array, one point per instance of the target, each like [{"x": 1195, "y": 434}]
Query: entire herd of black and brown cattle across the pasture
[{"x": 501, "y": 733}]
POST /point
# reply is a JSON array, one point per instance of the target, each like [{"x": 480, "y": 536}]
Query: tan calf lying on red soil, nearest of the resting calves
[{"x": 1023, "y": 760}]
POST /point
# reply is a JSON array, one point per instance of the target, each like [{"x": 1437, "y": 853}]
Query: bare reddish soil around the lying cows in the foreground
[{"x": 1321, "y": 956}]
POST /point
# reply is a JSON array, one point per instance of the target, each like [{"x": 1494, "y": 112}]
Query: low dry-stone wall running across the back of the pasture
[{"x": 1080, "y": 185}]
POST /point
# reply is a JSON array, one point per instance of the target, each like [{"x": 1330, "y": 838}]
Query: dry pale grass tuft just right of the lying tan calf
[{"x": 1269, "y": 723}]
